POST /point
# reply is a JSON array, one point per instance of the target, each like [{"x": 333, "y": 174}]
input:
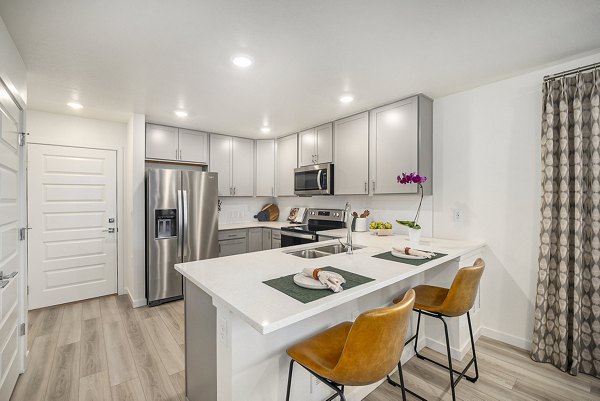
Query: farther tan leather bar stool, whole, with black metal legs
[{"x": 448, "y": 302}]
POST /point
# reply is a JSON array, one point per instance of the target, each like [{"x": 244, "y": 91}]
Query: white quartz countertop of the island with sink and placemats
[{"x": 236, "y": 282}]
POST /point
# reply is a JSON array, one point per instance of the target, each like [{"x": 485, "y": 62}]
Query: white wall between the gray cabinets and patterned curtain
[{"x": 487, "y": 164}]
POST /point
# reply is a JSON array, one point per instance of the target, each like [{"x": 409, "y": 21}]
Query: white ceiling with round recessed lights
[{"x": 155, "y": 56}]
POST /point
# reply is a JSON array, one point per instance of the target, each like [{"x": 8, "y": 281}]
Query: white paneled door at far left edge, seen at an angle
[{"x": 12, "y": 344}]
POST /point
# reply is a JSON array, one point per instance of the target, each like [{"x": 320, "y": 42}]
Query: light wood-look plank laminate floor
[{"x": 103, "y": 349}]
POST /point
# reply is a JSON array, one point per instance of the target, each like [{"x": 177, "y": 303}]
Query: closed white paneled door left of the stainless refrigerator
[{"x": 72, "y": 211}]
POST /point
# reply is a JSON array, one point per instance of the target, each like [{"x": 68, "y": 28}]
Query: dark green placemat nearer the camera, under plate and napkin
[{"x": 286, "y": 285}]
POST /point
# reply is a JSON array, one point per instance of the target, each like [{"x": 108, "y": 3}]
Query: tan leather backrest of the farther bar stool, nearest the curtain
[{"x": 463, "y": 291}]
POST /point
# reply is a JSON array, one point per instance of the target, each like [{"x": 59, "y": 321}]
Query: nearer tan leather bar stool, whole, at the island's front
[{"x": 359, "y": 353}]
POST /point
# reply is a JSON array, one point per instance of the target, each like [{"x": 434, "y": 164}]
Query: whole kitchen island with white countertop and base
[{"x": 238, "y": 328}]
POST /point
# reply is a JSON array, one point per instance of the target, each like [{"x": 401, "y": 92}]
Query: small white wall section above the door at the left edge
[{"x": 12, "y": 67}]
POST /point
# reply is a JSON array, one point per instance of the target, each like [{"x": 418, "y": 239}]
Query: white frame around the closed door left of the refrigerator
[{"x": 120, "y": 221}]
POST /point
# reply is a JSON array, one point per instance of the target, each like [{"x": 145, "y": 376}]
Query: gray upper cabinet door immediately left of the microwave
[{"x": 286, "y": 161}]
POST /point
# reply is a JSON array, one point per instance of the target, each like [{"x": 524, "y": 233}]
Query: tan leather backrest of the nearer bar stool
[{"x": 374, "y": 344}]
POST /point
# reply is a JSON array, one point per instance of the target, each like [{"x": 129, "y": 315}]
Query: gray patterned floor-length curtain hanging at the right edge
[{"x": 567, "y": 314}]
